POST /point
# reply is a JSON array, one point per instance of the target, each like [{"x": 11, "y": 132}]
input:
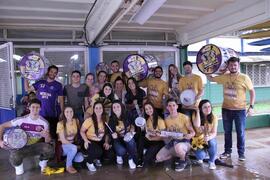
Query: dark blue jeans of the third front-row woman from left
[{"x": 121, "y": 148}]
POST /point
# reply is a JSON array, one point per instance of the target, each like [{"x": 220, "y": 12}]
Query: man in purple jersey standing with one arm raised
[{"x": 49, "y": 92}]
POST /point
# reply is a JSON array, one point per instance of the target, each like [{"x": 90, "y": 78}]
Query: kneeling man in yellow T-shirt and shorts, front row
[{"x": 176, "y": 146}]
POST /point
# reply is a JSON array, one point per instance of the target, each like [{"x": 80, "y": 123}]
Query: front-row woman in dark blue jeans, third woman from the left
[{"x": 120, "y": 126}]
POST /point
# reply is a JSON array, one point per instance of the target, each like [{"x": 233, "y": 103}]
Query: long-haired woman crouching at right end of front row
[{"x": 206, "y": 126}]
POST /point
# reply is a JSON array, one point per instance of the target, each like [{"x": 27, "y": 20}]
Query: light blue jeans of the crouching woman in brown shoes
[{"x": 70, "y": 150}]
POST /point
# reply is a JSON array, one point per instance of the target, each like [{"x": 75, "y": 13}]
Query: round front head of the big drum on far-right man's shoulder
[{"x": 209, "y": 59}]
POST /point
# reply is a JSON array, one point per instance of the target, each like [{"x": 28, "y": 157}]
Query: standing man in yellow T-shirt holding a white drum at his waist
[{"x": 191, "y": 81}]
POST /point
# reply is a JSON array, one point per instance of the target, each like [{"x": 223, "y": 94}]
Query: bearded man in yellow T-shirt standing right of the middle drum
[{"x": 157, "y": 89}]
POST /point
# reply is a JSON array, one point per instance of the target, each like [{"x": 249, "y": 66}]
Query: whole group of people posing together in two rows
[{"x": 95, "y": 120}]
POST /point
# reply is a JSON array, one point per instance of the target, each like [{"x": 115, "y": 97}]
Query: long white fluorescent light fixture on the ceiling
[{"x": 146, "y": 11}]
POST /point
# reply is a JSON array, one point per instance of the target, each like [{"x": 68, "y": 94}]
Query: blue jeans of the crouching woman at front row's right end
[{"x": 212, "y": 151}]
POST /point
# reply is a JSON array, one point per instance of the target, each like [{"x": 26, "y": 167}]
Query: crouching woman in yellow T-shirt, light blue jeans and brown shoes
[{"x": 67, "y": 130}]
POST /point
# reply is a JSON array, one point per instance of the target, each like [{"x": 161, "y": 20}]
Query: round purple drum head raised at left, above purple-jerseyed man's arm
[{"x": 33, "y": 66}]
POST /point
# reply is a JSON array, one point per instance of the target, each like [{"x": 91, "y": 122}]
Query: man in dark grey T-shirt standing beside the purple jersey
[{"x": 77, "y": 94}]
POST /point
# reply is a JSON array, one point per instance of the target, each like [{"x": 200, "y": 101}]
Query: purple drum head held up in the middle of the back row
[{"x": 135, "y": 66}]
